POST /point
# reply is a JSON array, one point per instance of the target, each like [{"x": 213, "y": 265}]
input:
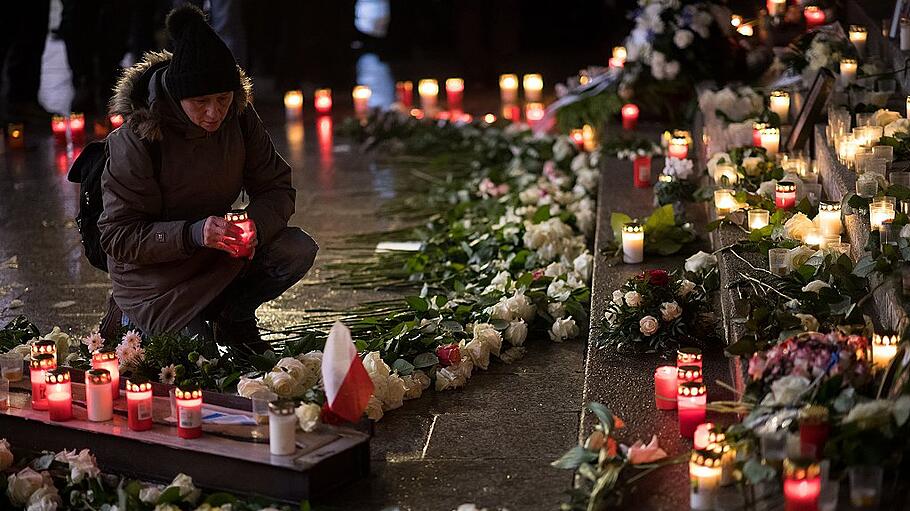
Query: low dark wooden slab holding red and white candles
[{"x": 228, "y": 458}]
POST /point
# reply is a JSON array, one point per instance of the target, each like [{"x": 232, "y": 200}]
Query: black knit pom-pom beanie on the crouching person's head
[{"x": 202, "y": 64}]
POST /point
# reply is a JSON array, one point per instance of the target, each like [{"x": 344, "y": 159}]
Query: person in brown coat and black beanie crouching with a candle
[{"x": 191, "y": 143}]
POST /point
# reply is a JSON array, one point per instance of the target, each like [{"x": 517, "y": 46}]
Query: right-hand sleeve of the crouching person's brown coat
[{"x": 266, "y": 178}]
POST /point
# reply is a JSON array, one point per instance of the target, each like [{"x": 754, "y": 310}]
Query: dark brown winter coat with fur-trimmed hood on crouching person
[{"x": 161, "y": 280}]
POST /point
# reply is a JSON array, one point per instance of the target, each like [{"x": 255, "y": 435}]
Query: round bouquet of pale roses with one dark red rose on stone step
[{"x": 653, "y": 311}]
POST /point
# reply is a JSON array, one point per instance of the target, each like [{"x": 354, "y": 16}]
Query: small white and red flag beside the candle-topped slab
[{"x": 348, "y": 386}]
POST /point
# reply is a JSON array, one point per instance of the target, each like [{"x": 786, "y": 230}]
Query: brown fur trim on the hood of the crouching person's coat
[{"x": 136, "y": 100}]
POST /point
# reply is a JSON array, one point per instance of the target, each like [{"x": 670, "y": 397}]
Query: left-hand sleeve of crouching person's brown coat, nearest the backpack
[{"x": 130, "y": 230}]
